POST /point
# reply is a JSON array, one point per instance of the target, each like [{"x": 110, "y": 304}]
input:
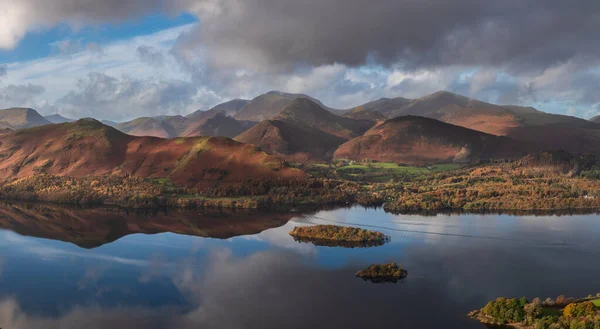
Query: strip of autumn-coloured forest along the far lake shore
[{"x": 541, "y": 182}]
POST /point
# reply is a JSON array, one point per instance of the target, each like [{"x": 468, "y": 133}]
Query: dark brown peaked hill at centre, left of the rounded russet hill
[{"x": 304, "y": 131}]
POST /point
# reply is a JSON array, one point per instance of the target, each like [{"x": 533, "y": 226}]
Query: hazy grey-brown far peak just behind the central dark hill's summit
[{"x": 267, "y": 106}]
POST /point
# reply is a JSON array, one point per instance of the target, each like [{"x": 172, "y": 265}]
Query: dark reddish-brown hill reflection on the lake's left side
[{"x": 93, "y": 227}]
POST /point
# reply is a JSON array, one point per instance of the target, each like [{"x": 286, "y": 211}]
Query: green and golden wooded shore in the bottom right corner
[{"x": 562, "y": 313}]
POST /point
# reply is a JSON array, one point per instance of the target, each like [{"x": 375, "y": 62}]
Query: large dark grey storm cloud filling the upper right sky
[{"x": 520, "y": 33}]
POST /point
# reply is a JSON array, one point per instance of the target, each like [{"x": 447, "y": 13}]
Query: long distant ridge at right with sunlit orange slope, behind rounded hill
[{"x": 549, "y": 131}]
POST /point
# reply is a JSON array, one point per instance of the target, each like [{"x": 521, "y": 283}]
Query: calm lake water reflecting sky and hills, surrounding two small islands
[{"x": 105, "y": 268}]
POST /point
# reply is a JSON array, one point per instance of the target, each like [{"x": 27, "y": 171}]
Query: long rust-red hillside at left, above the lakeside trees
[{"x": 88, "y": 147}]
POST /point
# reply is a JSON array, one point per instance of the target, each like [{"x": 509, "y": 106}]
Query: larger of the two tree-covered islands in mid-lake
[{"x": 338, "y": 236}]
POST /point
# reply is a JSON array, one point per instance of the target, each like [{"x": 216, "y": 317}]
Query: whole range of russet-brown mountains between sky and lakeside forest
[{"x": 441, "y": 127}]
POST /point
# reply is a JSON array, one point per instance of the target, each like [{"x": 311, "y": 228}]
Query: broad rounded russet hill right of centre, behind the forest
[{"x": 419, "y": 140}]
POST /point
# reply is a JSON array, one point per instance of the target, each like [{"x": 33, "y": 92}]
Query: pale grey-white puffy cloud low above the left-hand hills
[{"x": 125, "y": 97}]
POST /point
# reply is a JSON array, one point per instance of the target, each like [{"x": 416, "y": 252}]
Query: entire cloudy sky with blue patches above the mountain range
[{"x": 122, "y": 59}]
